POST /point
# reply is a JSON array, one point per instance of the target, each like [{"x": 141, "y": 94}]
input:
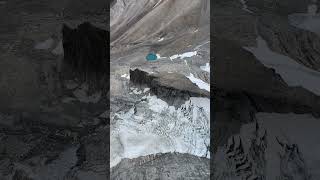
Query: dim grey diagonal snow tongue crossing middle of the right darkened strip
[{"x": 293, "y": 73}]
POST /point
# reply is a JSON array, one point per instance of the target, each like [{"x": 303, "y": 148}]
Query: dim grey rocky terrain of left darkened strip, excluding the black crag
[{"x": 50, "y": 128}]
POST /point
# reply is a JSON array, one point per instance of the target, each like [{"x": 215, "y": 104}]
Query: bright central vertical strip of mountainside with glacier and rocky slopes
[{"x": 161, "y": 106}]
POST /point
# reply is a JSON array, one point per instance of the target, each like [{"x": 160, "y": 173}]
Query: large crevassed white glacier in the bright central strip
[{"x": 152, "y": 126}]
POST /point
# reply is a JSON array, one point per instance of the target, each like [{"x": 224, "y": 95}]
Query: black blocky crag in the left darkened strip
[{"x": 85, "y": 49}]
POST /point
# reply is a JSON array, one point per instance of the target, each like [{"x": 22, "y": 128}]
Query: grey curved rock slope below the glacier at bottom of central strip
[{"x": 168, "y": 166}]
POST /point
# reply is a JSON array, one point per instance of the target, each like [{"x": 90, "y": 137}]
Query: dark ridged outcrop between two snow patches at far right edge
[{"x": 299, "y": 44}]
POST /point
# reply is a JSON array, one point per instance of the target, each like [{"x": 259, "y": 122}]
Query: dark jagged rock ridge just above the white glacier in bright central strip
[{"x": 172, "y": 87}]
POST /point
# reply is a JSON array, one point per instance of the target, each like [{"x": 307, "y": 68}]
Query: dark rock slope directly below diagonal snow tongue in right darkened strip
[{"x": 241, "y": 72}]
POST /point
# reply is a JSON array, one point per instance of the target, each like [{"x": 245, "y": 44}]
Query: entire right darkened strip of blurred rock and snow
[{"x": 265, "y": 60}]
